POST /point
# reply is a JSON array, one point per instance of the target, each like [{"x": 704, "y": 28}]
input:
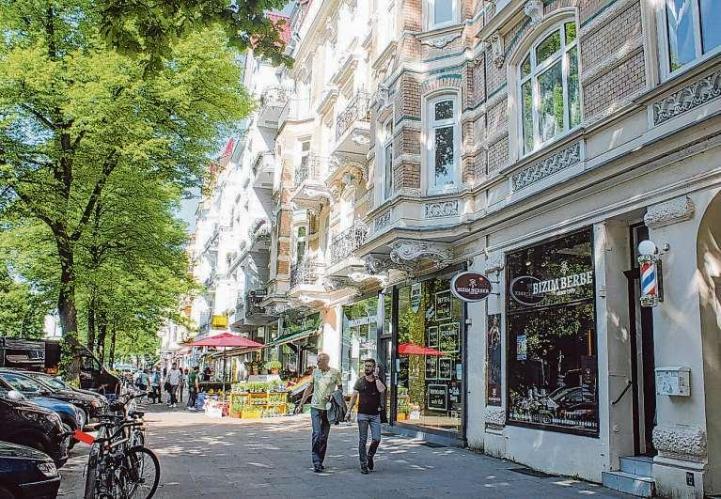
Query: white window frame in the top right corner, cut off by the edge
[{"x": 664, "y": 53}]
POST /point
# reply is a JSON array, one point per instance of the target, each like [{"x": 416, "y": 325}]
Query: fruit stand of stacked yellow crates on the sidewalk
[{"x": 252, "y": 400}]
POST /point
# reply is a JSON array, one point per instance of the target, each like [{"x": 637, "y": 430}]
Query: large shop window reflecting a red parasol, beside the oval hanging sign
[{"x": 430, "y": 358}]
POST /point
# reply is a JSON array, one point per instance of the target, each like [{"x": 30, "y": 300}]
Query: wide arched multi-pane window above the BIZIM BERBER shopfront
[{"x": 549, "y": 90}]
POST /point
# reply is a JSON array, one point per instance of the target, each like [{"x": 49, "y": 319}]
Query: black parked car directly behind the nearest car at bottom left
[{"x": 26, "y": 423}]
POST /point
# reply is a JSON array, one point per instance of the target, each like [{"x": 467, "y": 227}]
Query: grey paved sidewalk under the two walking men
[{"x": 232, "y": 458}]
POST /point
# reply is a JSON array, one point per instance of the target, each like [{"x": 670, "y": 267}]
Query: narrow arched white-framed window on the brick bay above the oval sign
[{"x": 442, "y": 143}]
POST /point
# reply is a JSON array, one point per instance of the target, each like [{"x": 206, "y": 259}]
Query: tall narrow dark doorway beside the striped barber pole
[{"x": 643, "y": 377}]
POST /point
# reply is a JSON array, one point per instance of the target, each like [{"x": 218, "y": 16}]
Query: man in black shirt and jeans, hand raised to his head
[{"x": 368, "y": 390}]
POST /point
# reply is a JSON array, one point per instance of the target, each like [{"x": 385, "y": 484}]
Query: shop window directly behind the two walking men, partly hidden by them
[{"x": 360, "y": 324}]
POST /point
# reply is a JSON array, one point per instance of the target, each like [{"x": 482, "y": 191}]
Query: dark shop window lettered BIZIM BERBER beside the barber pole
[{"x": 552, "y": 360}]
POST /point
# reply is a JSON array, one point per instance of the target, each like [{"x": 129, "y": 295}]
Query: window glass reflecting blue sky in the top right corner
[{"x": 692, "y": 30}]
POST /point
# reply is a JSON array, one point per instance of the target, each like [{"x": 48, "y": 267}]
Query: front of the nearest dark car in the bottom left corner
[{"x": 26, "y": 473}]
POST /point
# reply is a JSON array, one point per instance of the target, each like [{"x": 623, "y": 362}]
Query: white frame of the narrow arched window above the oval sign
[{"x": 430, "y": 125}]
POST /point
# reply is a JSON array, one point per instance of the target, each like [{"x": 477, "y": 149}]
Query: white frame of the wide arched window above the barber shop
[{"x": 537, "y": 70}]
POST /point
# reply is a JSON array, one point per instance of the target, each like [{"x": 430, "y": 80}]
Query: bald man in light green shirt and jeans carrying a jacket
[{"x": 325, "y": 381}]
